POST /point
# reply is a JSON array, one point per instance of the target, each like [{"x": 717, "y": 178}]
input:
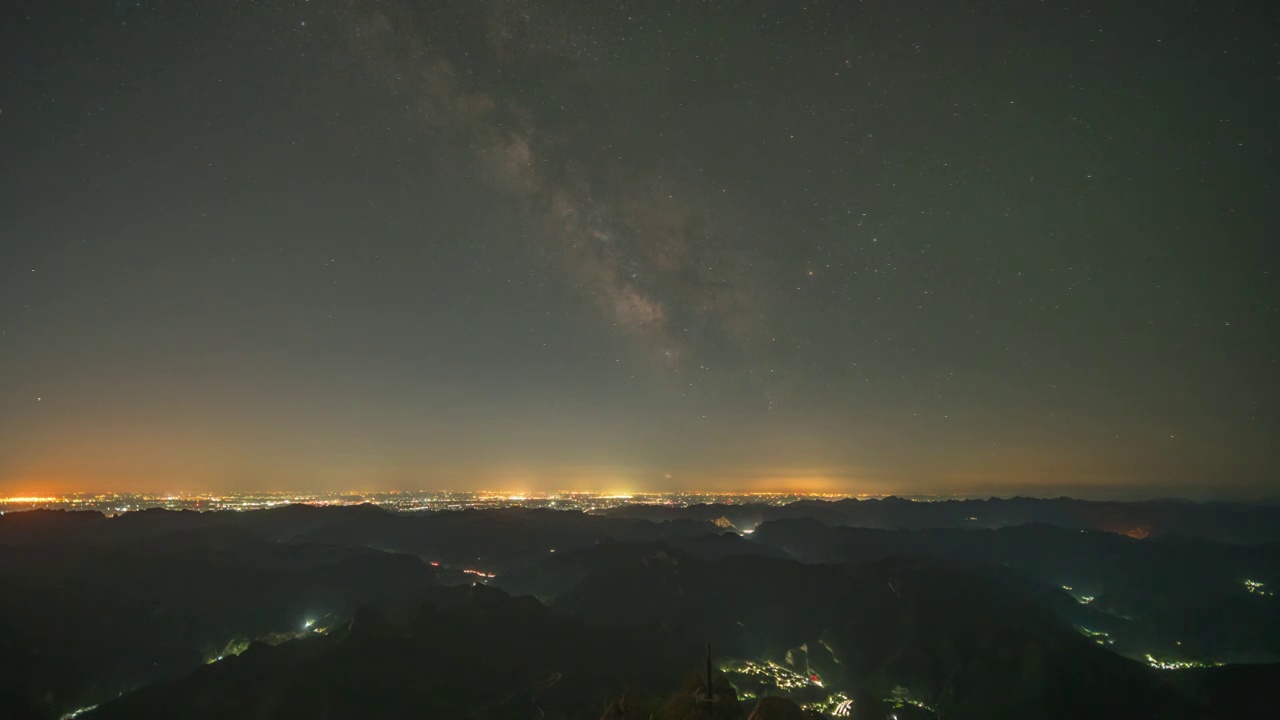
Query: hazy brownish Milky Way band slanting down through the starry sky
[{"x": 653, "y": 266}]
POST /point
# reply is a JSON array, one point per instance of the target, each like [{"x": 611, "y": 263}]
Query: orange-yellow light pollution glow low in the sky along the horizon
[{"x": 196, "y": 471}]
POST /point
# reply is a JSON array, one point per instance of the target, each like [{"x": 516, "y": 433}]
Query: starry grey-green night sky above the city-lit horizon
[{"x": 947, "y": 248}]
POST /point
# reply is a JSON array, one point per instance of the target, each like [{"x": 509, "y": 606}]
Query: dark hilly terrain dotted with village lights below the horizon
[{"x": 874, "y": 609}]
